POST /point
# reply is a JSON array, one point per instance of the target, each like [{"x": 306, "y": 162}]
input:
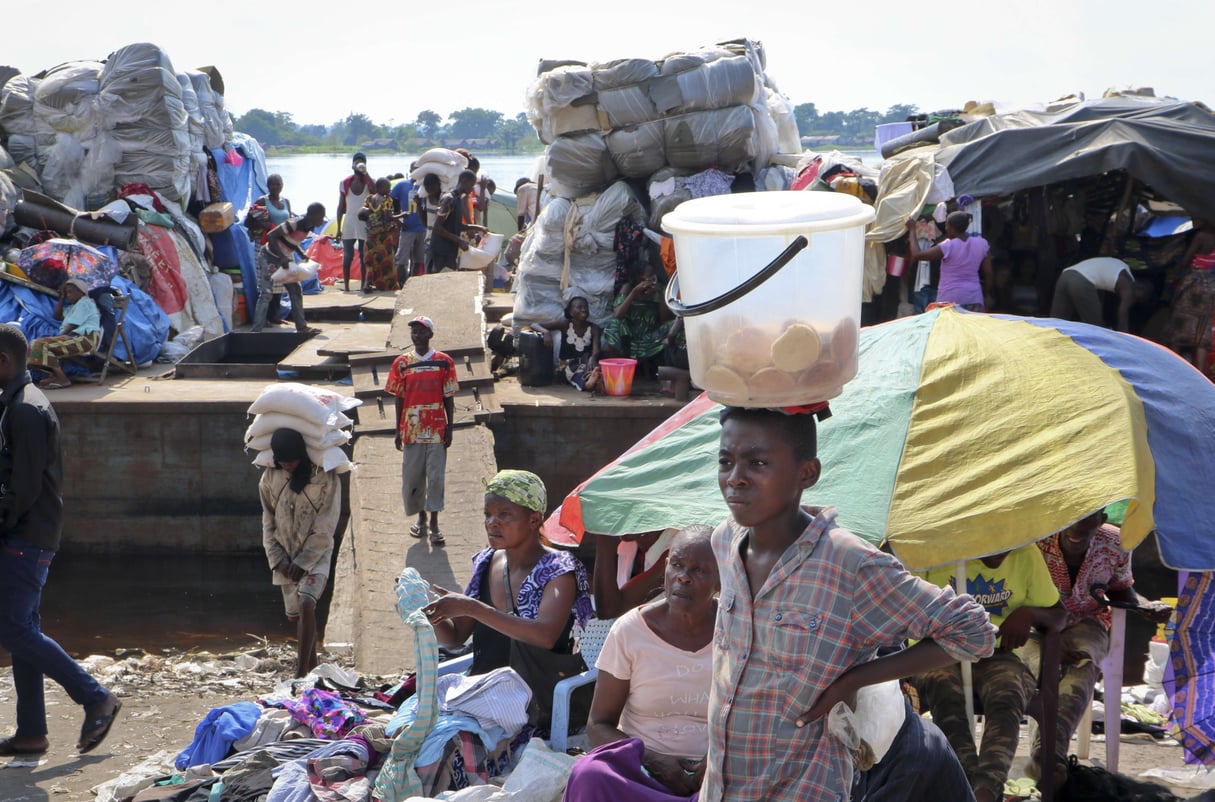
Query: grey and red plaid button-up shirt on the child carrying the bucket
[{"x": 828, "y": 606}]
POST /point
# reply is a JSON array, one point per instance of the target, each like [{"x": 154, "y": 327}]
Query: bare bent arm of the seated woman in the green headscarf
[{"x": 544, "y": 631}]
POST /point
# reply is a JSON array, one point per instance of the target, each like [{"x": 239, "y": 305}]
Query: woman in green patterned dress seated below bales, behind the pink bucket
[{"x": 641, "y": 321}]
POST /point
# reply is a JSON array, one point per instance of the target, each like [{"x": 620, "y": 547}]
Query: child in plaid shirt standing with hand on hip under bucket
[{"x": 805, "y": 606}]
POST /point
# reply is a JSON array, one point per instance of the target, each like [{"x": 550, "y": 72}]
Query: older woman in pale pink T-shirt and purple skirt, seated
[{"x": 649, "y": 720}]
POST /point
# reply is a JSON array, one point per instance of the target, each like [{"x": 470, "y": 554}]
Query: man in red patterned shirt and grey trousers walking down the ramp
[{"x": 425, "y": 385}]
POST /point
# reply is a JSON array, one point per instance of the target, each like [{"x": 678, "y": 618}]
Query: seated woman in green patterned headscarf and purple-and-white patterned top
[{"x": 523, "y": 600}]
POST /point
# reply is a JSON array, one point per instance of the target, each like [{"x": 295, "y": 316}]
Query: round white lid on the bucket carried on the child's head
[{"x": 761, "y": 214}]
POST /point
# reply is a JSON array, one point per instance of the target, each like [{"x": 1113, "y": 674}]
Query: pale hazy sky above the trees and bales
[{"x": 393, "y": 60}]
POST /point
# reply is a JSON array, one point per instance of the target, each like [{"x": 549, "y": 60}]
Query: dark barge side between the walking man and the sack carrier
[{"x": 159, "y": 478}]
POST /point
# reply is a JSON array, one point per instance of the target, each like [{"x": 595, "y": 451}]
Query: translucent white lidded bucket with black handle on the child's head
[{"x": 793, "y": 338}]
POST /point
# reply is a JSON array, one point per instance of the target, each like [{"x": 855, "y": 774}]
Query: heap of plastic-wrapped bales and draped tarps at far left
[{"x": 127, "y": 154}]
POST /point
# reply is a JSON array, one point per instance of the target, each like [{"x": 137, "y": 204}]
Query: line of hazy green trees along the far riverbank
[{"x": 494, "y": 131}]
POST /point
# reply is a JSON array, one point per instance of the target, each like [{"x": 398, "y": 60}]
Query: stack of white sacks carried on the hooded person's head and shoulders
[{"x": 317, "y": 414}]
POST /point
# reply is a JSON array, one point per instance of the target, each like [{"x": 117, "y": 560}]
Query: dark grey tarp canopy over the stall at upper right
[{"x": 1167, "y": 145}]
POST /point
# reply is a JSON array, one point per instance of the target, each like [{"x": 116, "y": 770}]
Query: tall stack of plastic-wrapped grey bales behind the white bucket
[{"x": 628, "y": 143}]
